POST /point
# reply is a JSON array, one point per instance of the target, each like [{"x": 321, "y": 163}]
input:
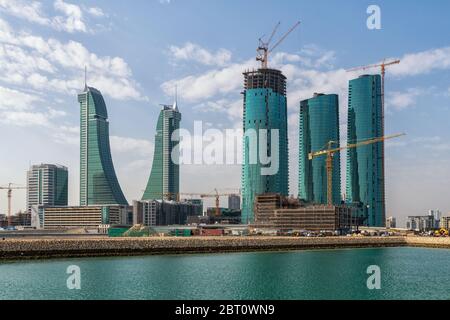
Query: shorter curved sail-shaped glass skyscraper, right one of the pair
[{"x": 164, "y": 181}]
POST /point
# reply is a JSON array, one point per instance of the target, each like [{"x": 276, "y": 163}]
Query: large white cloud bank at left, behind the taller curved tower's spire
[{"x": 39, "y": 63}]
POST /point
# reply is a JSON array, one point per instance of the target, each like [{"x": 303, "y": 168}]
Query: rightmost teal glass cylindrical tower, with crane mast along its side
[{"x": 365, "y": 180}]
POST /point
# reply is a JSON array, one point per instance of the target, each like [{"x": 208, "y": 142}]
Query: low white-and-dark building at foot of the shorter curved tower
[{"x": 163, "y": 213}]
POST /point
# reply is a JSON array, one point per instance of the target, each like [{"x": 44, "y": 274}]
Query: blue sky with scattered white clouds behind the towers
[{"x": 136, "y": 54}]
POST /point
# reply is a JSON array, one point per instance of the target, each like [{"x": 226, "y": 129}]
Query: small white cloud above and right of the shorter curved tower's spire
[{"x": 194, "y": 52}]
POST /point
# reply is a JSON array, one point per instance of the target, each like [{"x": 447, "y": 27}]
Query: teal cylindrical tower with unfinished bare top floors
[{"x": 265, "y": 107}]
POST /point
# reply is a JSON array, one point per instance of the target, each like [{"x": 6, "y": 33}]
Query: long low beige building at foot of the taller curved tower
[{"x": 45, "y": 217}]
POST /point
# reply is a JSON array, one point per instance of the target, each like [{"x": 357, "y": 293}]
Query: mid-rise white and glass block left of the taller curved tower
[{"x": 47, "y": 184}]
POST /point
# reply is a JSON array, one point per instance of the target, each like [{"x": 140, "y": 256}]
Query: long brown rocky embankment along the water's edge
[{"x": 40, "y": 249}]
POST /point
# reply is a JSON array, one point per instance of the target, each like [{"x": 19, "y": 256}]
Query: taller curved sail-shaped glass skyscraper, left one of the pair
[{"x": 98, "y": 180}]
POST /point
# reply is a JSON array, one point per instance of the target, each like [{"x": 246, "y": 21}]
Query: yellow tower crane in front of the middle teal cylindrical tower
[{"x": 330, "y": 151}]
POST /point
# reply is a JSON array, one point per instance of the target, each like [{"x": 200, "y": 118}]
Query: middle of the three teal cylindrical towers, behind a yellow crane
[{"x": 318, "y": 124}]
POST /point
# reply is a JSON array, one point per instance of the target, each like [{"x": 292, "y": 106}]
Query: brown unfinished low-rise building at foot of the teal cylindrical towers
[{"x": 277, "y": 212}]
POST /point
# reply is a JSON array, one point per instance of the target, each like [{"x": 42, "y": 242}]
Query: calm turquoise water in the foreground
[{"x": 406, "y": 273}]
